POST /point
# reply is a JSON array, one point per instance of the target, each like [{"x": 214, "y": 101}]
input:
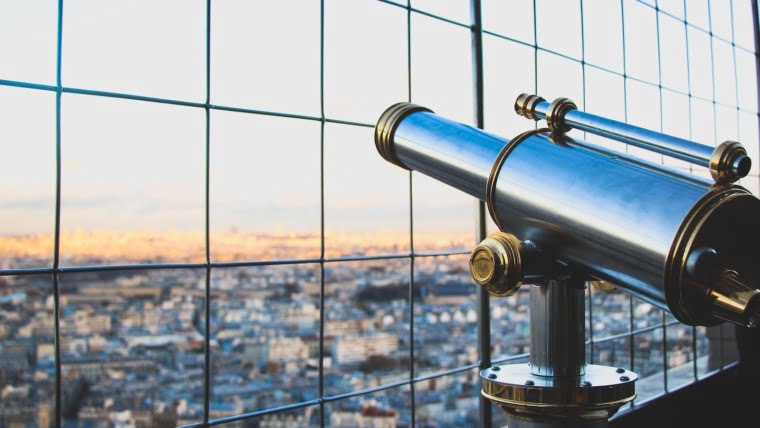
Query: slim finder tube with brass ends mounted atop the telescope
[{"x": 728, "y": 162}]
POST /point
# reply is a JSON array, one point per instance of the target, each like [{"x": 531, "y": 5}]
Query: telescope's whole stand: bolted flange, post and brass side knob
[{"x": 556, "y": 388}]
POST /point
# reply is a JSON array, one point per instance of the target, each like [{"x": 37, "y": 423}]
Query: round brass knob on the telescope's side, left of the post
[{"x": 496, "y": 264}]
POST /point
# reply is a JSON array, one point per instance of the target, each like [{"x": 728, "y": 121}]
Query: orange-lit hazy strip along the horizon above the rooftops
[{"x": 186, "y": 246}]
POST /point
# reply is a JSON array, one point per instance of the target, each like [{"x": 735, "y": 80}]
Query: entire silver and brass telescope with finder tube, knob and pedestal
[{"x": 569, "y": 212}]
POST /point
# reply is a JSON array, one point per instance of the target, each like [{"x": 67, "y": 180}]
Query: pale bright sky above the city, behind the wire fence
[{"x": 130, "y": 165}]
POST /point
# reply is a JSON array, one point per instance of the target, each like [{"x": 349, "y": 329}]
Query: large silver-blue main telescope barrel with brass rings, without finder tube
[{"x": 650, "y": 230}]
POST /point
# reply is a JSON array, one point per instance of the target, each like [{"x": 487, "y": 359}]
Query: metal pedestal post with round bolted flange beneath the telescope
[{"x": 557, "y": 388}]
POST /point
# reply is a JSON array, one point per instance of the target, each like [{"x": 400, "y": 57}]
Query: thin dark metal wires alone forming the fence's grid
[{"x": 484, "y": 352}]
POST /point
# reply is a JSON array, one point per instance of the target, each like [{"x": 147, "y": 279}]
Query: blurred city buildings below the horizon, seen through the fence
[{"x": 132, "y": 342}]
